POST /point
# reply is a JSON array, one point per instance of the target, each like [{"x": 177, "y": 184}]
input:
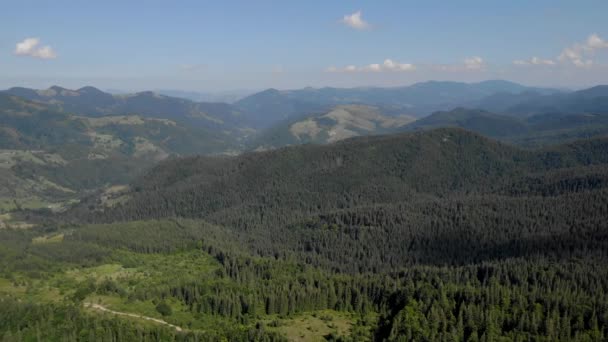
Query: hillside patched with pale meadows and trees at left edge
[{"x": 48, "y": 156}]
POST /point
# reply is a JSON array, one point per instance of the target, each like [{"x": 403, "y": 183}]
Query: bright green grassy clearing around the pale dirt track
[{"x": 132, "y": 272}]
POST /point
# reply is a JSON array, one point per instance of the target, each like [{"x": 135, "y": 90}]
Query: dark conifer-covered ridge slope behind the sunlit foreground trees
[{"x": 285, "y": 199}]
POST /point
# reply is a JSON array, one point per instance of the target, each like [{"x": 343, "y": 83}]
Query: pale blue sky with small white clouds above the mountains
[{"x": 212, "y": 46}]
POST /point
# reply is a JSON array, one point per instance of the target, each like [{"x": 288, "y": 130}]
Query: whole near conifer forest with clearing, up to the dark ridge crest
[{"x": 439, "y": 235}]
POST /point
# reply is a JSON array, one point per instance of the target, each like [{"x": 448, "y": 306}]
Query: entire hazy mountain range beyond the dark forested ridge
[{"x": 57, "y": 143}]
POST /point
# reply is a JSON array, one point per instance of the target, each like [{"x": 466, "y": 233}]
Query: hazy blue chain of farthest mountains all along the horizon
[{"x": 268, "y": 107}]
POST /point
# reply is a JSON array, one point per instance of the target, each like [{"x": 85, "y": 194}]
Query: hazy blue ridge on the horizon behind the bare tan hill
[{"x": 420, "y": 99}]
